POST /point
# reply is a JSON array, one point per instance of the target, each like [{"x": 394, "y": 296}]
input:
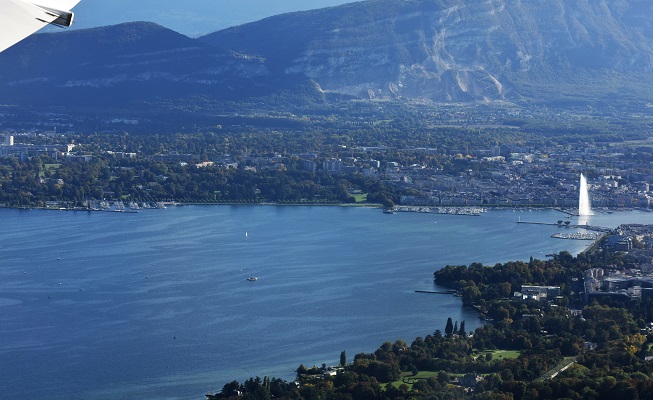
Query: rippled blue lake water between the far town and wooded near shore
[{"x": 156, "y": 304}]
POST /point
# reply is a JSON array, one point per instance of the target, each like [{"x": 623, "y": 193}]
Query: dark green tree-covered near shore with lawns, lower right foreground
[{"x": 559, "y": 346}]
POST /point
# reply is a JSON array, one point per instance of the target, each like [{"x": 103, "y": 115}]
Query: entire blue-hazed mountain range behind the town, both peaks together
[{"x": 535, "y": 51}]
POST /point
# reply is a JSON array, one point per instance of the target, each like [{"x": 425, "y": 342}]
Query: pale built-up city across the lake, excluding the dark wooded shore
[{"x": 514, "y": 176}]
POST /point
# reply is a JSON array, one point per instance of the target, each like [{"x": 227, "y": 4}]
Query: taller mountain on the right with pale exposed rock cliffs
[{"x": 460, "y": 50}]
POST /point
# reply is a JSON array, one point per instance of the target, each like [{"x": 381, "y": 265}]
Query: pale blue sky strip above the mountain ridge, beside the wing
[{"x": 190, "y": 17}]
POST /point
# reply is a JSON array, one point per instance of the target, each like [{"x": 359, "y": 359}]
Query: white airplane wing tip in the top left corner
[{"x": 21, "y": 18}]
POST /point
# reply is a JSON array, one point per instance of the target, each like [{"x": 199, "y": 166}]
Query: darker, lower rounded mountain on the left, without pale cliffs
[{"x": 122, "y": 64}]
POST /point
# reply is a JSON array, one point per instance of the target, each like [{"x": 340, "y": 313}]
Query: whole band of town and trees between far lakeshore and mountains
[{"x": 243, "y": 167}]
